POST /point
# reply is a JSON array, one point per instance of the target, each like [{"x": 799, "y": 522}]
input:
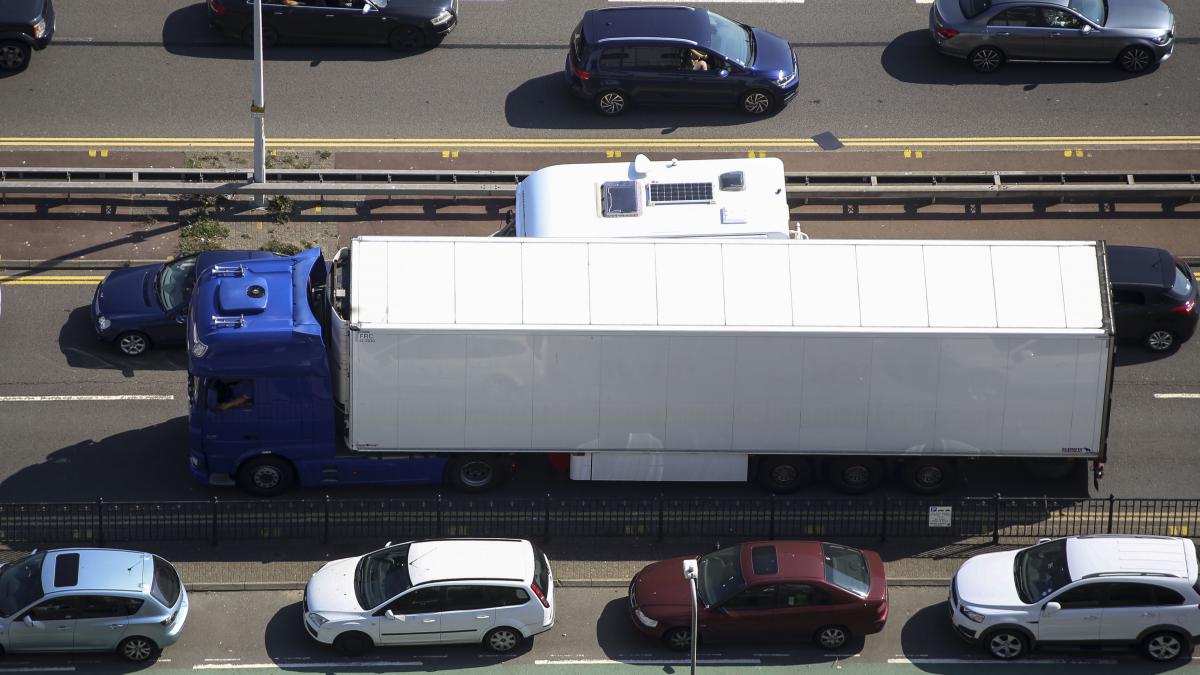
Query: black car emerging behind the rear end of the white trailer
[{"x": 1154, "y": 297}]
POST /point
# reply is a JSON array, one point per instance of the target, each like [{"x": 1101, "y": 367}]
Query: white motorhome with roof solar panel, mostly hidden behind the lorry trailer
[{"x": 740, "y": 198}]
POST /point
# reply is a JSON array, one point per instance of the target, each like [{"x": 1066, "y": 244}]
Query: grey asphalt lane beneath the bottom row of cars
[{"x": 592, "y": 635}]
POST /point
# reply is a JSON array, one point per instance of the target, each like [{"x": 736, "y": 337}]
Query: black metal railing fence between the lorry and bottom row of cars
[{"x": 994, "y": 521}]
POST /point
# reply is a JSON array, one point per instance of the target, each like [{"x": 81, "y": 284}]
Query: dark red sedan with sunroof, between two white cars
[{"x": 765, "y": 592}]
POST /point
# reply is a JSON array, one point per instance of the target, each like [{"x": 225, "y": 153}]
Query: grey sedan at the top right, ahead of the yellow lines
[{"x": 1133, "y": 34}]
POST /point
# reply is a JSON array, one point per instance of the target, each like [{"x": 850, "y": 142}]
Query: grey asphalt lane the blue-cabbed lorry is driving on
[{"x": 136, "y": 450}]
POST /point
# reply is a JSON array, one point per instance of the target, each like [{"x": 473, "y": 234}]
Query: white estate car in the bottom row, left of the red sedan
[{"x": 496, "y": 593}]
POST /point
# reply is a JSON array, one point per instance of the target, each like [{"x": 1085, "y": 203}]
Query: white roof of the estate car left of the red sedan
[{"x": 441, "y": 560}]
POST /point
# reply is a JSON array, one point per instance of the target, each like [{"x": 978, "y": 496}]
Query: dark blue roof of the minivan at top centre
[{"x": 647, "y": 22}]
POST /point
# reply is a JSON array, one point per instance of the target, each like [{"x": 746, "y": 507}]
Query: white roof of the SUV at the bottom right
[{"x": 1120, "y": 555}]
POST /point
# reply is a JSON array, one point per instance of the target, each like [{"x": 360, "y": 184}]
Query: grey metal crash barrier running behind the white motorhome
[{"x": 1108, "y": 187}]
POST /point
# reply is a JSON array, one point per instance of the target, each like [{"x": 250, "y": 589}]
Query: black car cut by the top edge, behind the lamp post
[{"x": 406, "y": 26}]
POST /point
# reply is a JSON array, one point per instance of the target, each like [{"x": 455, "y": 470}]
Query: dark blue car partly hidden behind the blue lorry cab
[{"x": 142, "y": 307}]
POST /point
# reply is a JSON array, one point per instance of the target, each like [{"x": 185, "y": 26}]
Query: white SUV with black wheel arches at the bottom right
[{"x": 1093, "y": 590}]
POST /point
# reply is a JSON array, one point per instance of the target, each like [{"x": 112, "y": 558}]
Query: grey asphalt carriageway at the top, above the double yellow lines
[{"x": 153, "y": 69}]
